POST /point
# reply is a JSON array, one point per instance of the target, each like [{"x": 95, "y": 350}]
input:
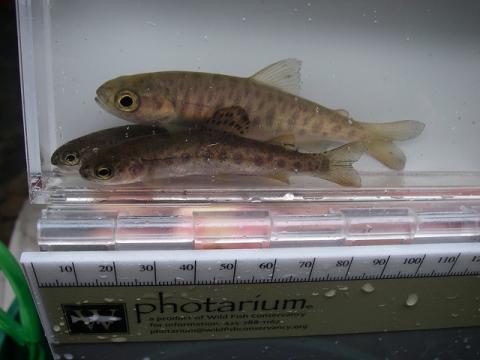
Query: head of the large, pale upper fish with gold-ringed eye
[{"x": 137, "y": 98}]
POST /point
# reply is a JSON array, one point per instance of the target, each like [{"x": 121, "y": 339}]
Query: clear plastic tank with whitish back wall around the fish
[{"x": 382, "y": 62}]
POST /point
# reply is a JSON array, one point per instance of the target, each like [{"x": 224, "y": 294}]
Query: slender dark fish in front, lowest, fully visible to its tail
[{"x": 213, "y": 154}]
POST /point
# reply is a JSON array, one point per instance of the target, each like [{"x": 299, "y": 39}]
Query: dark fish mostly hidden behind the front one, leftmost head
[{"x": 71, "y": 154}]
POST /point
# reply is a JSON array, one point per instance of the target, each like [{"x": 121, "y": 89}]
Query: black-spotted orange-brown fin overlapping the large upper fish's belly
[{"x": 233, "y": 120}]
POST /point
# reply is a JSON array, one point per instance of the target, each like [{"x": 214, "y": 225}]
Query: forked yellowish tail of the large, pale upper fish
[{"x": 381, "y": 136}]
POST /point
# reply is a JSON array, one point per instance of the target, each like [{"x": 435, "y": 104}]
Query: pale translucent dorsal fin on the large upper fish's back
[{"x": 284, "y": 75}]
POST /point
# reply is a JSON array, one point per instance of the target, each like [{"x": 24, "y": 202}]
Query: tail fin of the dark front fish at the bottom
[{"x": 340, "y": 167}]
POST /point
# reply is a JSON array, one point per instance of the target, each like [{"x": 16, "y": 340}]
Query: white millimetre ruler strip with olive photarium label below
[{"x": 95, "y": 296}]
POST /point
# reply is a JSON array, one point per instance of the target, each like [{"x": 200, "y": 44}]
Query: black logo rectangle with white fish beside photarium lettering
[{"x": 96, "y": 318}]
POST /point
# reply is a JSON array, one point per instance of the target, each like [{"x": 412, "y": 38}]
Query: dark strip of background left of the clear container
[{"x": 13, "y": 181}]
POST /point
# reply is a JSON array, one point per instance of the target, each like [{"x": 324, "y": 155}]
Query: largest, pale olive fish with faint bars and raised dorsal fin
[{"x": 264, "y": 107}]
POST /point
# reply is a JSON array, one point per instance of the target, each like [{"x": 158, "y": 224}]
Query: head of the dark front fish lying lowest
[{"x": 112, "y": 169}]
